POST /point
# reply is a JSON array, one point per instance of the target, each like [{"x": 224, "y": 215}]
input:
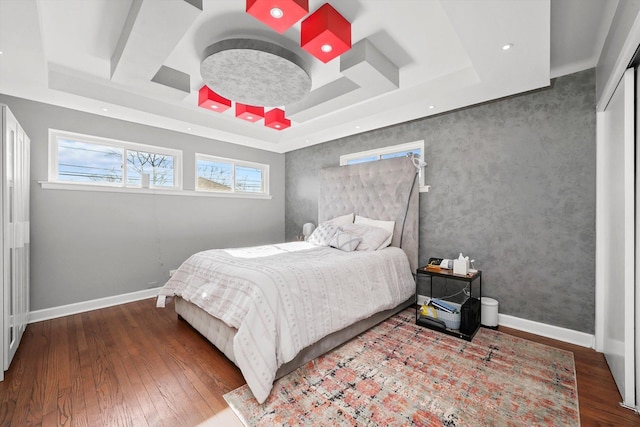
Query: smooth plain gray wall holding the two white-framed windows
[{"x": 87, "y": 245}]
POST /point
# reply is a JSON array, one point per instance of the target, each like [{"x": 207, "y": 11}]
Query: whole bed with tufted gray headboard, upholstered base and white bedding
[{"x": 272, "y": 308}]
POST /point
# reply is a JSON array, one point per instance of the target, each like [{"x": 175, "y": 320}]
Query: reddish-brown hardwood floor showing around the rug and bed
[{"x": 136, "y": 365}]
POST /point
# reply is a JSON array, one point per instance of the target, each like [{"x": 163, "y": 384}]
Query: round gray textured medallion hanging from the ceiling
[{"x": 255, "y": 72}]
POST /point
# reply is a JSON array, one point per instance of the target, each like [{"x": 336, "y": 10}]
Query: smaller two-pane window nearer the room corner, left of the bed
[{"x": 223, "y": 175}]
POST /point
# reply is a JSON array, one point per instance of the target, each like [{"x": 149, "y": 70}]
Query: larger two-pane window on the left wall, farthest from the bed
[{"x": 90, "y": 160}]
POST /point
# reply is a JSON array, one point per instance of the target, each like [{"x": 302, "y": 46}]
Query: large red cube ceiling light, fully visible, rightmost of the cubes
[{"x": 326, "y": 34}]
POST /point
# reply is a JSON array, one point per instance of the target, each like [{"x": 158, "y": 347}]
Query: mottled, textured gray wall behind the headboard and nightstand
[{"x": 513, "y": 186}]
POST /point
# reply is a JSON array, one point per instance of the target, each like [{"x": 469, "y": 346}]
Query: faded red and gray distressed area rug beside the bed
[{"x": 398, "y": 374}]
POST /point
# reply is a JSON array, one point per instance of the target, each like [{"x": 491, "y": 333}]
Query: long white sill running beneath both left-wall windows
[{"x": 47, "y": 185}]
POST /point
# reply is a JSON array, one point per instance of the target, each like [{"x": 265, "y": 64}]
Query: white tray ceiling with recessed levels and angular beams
[{"x": 99, "y": 56}]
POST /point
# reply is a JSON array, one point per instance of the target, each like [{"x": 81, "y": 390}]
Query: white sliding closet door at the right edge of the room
[{"x": 616, "y": 235}]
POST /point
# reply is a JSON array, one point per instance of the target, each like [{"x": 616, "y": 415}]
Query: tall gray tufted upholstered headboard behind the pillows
[{"x": 378, "y": 190}]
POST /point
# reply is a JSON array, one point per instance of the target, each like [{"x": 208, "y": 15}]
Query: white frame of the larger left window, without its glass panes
[{"x": 53, "y": 173}]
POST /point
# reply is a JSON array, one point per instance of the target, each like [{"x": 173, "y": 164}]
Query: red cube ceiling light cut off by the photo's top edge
[{"x": 278, "y": 14}]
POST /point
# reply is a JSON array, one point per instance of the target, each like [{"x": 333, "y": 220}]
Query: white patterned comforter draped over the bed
[{"x": 283, "y": 298}]
